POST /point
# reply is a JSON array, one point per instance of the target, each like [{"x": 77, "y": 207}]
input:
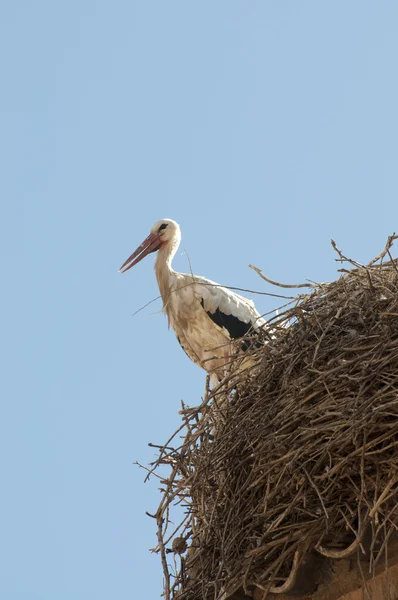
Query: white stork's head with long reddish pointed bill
[{"x": 165, "y": 234}]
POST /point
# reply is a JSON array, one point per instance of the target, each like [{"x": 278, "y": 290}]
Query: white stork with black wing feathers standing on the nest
[{"x": 205, "y": 316}]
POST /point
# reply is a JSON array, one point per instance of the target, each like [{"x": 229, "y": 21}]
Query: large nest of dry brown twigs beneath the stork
[{"x": 299, "y": 457}]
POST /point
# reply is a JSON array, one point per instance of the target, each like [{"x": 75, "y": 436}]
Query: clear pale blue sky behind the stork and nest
[{"x": 264, "y": 128}]
